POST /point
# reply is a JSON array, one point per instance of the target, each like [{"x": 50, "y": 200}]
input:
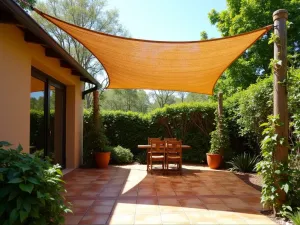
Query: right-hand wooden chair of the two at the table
[{"x": 174, "y": 154}]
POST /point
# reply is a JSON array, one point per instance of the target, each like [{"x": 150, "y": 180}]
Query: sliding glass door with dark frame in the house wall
[{"x": 47, "y": 117}]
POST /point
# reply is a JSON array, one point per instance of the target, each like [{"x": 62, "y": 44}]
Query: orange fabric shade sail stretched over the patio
[{"x": 181, "y": 66}]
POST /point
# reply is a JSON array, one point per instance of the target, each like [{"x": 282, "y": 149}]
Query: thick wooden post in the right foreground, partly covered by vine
[{"x": 280, "y": 91}]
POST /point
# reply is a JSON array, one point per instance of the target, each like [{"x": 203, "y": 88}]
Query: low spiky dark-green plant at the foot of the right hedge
[{"x": 244, "y": 163}]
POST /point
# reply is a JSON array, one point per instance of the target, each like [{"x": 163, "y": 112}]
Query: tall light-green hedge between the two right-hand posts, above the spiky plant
[{"x": 246, "y": 110}]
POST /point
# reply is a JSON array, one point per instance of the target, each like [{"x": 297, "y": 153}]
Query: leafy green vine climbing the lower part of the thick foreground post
[{"x": 277, "y": 175}]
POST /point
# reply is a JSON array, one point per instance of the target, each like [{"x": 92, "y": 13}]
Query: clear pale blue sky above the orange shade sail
[{"x": 167, "y": 20}]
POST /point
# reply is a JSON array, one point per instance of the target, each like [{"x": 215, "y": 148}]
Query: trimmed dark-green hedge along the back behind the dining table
[{"x": 191, "y": 123}]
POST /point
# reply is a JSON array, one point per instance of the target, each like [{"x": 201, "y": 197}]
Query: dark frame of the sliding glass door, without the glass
[{"x": 50, "y": 81}]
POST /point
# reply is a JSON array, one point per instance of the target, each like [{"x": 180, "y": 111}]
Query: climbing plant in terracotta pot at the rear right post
[{"x": 218, "y": 142}]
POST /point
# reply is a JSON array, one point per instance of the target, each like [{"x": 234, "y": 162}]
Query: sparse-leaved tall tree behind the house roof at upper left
[{"x": 90, "y": 14}]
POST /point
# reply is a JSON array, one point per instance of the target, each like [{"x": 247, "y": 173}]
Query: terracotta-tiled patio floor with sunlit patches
[{"x": 128, "y": 195}]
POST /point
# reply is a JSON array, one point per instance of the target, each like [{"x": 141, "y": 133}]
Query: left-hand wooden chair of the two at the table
[{"x": 157, "y": 153}]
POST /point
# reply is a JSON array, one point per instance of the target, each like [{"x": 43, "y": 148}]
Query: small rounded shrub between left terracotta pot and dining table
[{"x": 120, "y": 155}]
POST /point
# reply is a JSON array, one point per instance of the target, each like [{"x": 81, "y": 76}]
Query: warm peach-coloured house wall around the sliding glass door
[{"x": 17, "y": 57}]
